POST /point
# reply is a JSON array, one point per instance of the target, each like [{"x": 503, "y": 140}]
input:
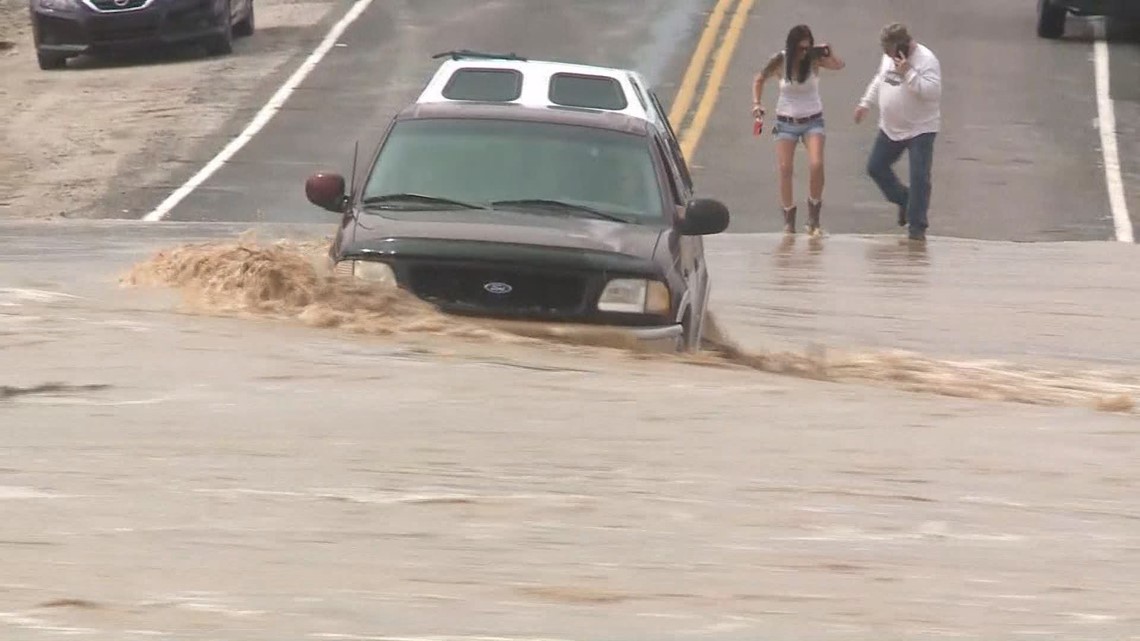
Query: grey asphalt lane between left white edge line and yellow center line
[{"x": 381, "y": 63}]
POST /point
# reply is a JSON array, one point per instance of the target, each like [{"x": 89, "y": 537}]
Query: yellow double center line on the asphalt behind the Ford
[{"x": 711, "y": 66}]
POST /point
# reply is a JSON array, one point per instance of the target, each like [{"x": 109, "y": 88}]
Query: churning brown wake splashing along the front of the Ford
[{"x": 291, "y": 281}]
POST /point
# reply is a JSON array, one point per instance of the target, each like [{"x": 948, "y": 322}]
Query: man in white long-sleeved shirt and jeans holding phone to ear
[{"x": 908, "y": 92}]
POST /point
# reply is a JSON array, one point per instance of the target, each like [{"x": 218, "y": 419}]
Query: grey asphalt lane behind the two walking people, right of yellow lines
[{"x": 1020, "y": 155}]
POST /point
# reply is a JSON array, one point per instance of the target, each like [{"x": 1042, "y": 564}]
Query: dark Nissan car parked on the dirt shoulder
[{"x": 66, "y": 29}]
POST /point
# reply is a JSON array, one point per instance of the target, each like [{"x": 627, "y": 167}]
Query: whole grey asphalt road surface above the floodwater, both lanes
[{"x": 1020, "y": 157}]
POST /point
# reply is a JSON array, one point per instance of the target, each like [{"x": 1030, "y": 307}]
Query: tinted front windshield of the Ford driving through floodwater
[{"x": 481, "y": 160}]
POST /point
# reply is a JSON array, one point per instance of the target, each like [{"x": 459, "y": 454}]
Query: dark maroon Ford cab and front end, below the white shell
[{"x": 530, "y": 214}]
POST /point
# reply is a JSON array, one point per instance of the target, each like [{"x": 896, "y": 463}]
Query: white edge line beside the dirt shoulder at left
[{"x": 264, "y": 116}]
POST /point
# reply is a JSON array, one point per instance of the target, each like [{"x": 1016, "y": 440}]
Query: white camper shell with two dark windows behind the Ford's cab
[{"x": 510, "y": 78}]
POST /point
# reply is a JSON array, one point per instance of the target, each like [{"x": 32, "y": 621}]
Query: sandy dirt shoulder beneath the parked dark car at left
[{"x": 69, "y": 136}]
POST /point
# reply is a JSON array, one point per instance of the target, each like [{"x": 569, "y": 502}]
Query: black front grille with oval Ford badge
[{"x": 510, "y": 293}]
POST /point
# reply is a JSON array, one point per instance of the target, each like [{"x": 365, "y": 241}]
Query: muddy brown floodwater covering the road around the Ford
[{"x": 205, "y": 439}]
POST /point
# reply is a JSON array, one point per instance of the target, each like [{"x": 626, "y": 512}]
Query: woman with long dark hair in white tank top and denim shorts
[{"x": 800, "y": 116}]
